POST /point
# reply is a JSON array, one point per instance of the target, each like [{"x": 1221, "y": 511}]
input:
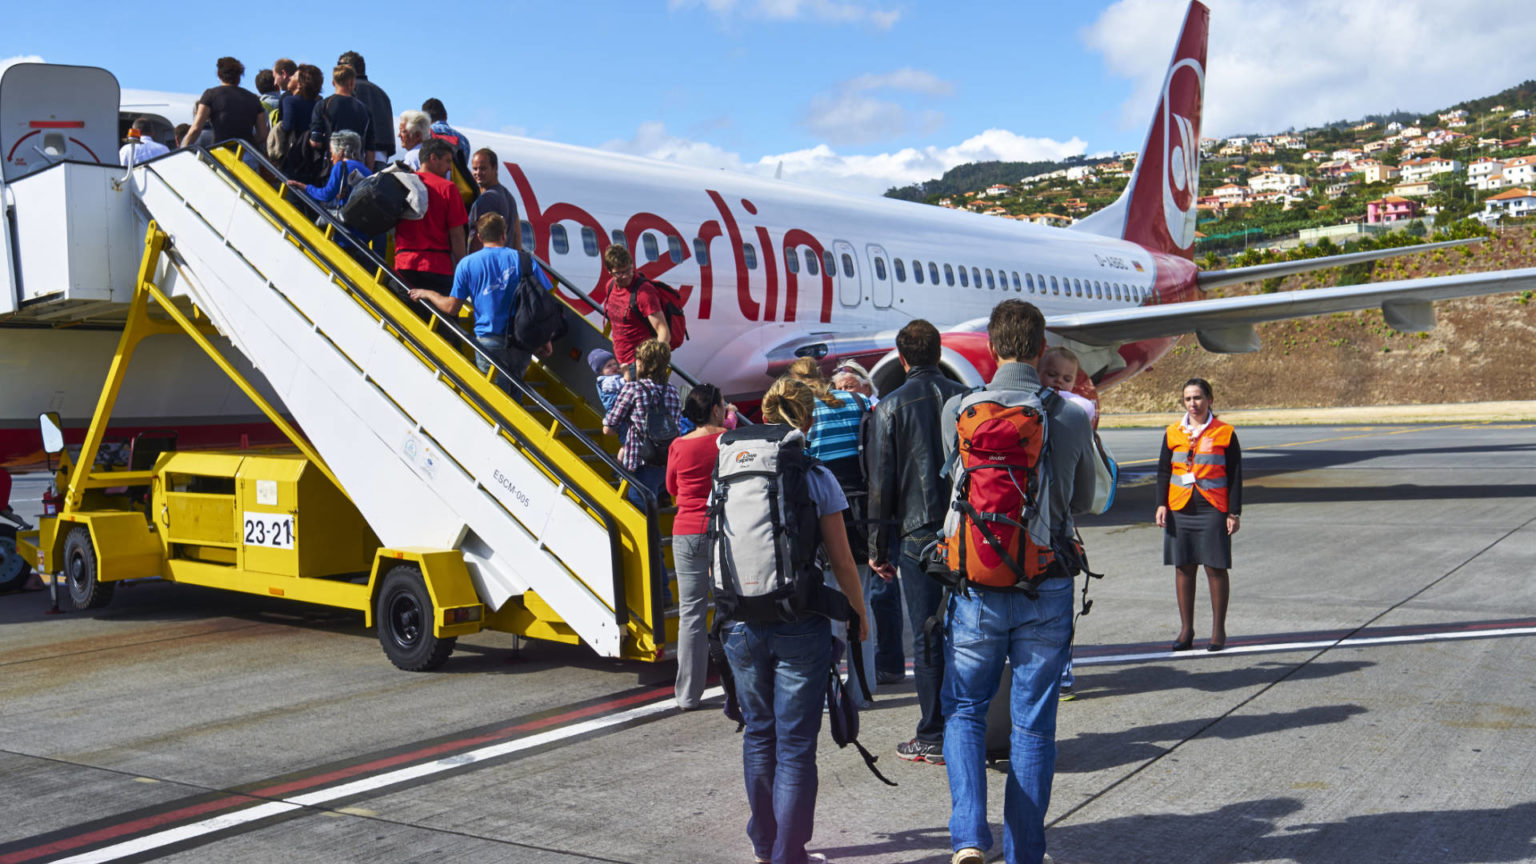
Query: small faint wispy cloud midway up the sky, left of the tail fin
[{"x": 852, "y": 115}]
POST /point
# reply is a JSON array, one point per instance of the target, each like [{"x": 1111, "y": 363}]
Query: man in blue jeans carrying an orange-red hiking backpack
[{"x": 1022, "y": 464}]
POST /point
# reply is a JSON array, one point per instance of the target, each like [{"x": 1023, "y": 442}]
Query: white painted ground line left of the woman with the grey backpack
[{"x": 227, "y": 822}]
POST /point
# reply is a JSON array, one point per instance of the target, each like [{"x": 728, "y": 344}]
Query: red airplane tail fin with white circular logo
[{"x": 1164, "y": 191}]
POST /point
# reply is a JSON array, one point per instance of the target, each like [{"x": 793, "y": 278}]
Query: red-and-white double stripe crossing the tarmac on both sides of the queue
[{"x": 640, "y": 706}]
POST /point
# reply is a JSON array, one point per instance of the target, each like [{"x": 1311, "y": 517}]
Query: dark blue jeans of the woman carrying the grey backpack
[{"x": 781, "y": 682}]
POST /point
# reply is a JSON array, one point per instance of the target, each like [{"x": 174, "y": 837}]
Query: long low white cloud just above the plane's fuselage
[{"x": 853, "y": 173}]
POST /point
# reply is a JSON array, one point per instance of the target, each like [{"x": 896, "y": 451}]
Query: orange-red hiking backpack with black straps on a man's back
[{"x": 998, "y": 523}]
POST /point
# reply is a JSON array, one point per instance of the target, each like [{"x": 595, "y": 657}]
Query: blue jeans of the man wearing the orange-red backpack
[{"x": 1034, "y": 636}]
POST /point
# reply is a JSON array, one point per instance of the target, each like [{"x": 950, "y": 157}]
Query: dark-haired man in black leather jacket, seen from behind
[{"x": 909, "y": 500}]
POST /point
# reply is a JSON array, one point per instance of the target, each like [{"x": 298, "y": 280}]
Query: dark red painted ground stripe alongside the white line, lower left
[{"x": 240, "y": 799}]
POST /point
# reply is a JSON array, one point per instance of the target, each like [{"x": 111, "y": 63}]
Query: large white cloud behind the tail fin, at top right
[{"x": 1309, "y": 62}]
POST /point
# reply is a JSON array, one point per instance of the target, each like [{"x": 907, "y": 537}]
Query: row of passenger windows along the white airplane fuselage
[{"x": 1031, "y": 284}]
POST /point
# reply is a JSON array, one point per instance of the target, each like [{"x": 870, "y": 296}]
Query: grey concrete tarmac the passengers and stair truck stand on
[{"x": 1375, "y": 705}]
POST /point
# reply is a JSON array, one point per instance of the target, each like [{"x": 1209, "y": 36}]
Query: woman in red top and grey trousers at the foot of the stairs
[{"x": 690, "y": 465}]
